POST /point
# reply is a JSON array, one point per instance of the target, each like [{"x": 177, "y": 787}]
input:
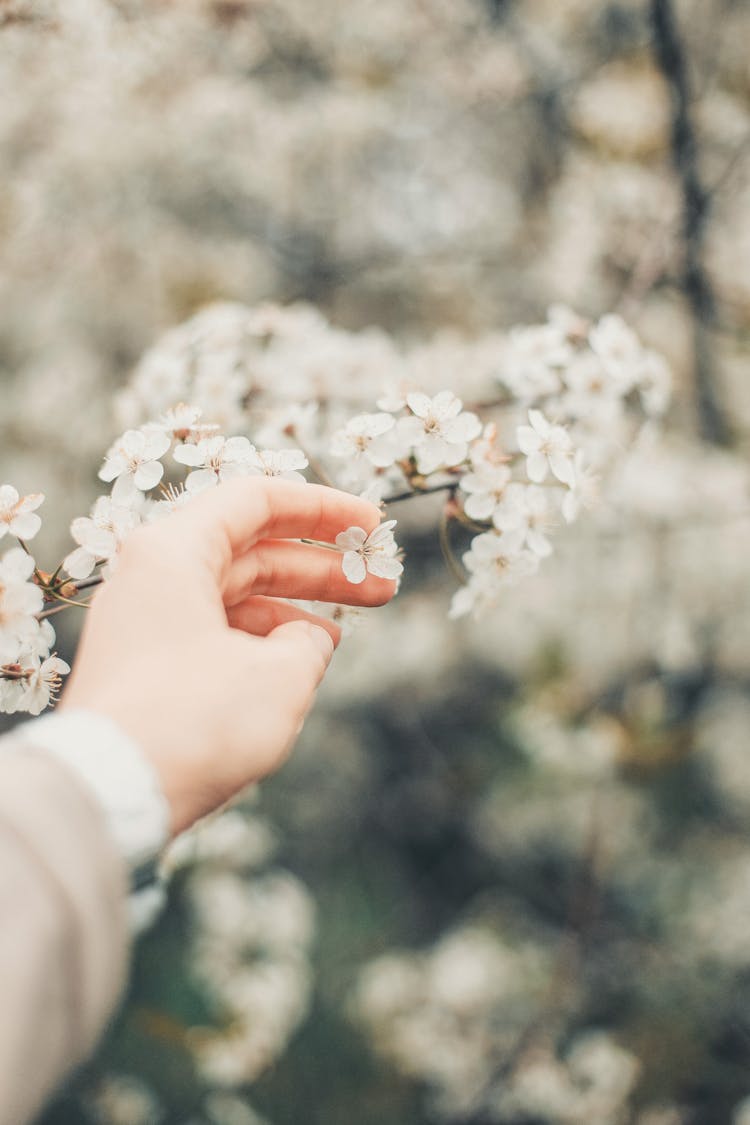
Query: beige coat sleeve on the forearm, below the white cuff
[{"x": 64, "y": 933}]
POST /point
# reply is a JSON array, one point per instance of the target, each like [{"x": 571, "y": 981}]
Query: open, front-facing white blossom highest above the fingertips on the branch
[{"x": 438, "y": 433}]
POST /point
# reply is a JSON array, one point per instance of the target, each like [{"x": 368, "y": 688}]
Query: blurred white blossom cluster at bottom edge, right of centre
[{"x": 453, "y": 1018}]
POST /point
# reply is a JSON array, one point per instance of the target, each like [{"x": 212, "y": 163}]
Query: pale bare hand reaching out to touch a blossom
[{"x": 192, "y": 650}]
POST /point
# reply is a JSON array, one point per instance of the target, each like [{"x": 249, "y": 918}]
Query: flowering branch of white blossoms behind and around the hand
[{"x": 555, "y": 408}]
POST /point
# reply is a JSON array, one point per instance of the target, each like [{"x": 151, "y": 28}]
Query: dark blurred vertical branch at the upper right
[{"x": 670, "y": 52}]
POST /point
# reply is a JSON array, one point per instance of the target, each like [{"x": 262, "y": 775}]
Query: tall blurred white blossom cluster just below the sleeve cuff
[{"x": 254, "y": 929}]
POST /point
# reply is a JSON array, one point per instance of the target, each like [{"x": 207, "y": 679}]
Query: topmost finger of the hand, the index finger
[{"x": 228, "y": 520}]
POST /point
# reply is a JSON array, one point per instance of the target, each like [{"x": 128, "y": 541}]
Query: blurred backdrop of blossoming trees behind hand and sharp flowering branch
[{"x": 507, "y": 878}]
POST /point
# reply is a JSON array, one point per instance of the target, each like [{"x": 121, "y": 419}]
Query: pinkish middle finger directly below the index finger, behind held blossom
[{"x": 286, "y": 569}]
